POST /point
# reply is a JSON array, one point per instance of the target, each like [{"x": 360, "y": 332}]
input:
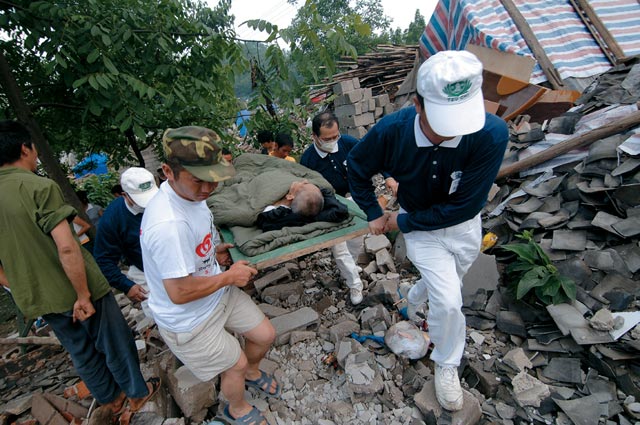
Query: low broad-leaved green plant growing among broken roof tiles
[{"x": 533, "y": 270}]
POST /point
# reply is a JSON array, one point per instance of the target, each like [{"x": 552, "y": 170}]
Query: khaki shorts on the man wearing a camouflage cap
[{"x": 209, "y": 349}]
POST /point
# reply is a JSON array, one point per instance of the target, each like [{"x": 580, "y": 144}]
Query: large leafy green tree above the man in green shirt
[{"x": 112, "y": 75}]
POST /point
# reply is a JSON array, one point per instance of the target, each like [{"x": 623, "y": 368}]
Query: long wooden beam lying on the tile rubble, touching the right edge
[{"x": 580, "y": 141}]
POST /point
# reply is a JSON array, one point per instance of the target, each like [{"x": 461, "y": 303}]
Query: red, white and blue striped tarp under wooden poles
[{"x": 565, "y": 39}]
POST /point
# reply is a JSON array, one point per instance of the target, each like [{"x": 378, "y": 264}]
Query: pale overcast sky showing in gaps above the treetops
[{"x": 280, "y": 12}]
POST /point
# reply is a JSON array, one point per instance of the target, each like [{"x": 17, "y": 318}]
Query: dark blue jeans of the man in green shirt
[{"x": 103, "y": 350}]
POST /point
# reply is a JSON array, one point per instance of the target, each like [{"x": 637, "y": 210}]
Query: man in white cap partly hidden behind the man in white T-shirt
[{"x": 118, "y": 234}]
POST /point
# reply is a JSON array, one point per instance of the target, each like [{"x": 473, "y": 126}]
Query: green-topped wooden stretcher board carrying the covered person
[{"x": 358, "y": 227}]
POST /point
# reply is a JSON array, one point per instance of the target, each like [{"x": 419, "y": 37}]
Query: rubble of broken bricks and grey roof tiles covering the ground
[{"x": 524, "y": 362}]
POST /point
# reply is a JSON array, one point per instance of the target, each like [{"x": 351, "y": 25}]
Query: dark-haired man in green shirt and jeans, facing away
[{"x": 50, "y": 275}]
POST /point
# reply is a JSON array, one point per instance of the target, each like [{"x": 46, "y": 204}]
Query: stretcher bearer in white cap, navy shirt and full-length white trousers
[{"x": 445, "y": 154}]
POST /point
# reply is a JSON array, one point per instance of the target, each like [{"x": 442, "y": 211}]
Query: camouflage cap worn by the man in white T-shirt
[{"x": 198, "y": 151}]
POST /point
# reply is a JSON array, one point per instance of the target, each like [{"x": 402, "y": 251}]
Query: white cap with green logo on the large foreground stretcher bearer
[{"x": 451, "y": 84}]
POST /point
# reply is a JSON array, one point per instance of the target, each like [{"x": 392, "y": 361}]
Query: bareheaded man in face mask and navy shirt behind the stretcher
[{"x": 328, "y": 156}]
